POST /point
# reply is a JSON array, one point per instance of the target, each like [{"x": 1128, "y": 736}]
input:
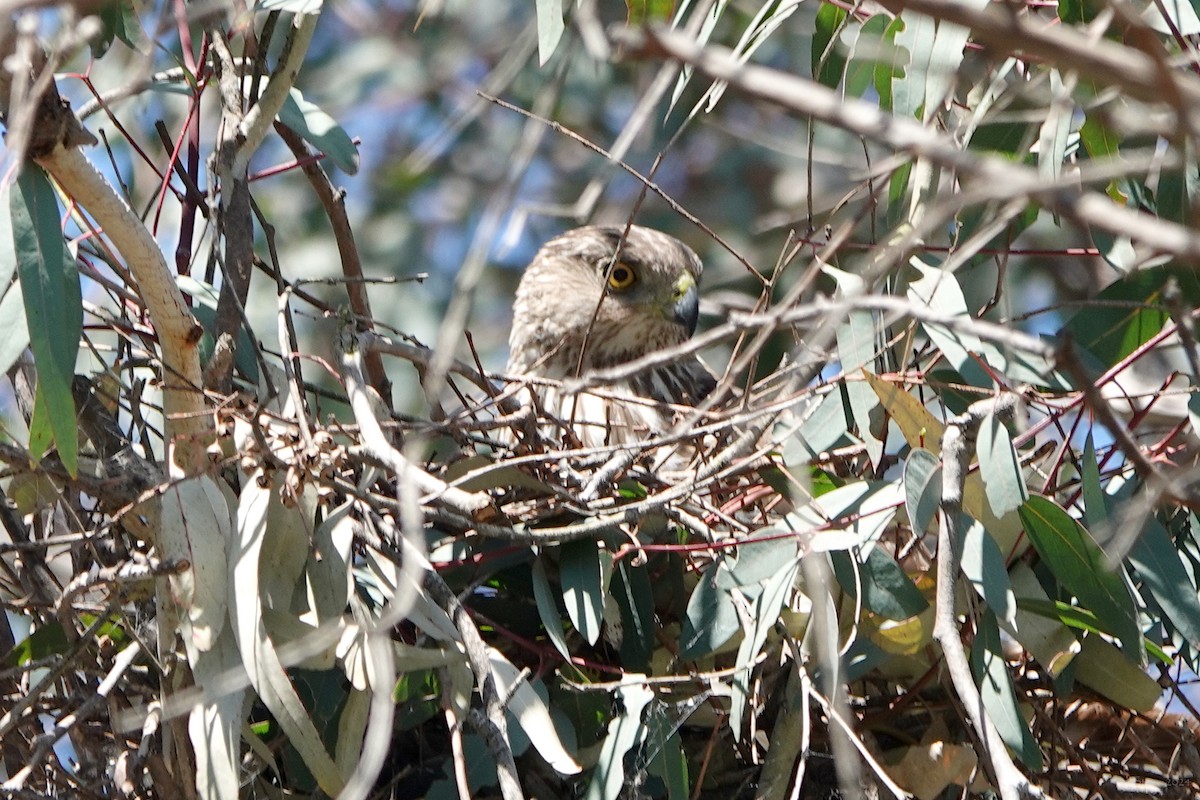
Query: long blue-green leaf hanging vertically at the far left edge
[{"x": 50, "y": 284}]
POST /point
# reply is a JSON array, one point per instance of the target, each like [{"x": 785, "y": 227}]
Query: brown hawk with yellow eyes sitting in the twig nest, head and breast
[{"x": 578, "y": 311}]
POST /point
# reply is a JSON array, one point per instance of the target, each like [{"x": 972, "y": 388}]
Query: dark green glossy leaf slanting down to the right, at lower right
[{"x": 1078, "y": 563}]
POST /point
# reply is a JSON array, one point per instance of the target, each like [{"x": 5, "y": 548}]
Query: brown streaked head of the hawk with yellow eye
[{"x": 575, "y": 293}]
